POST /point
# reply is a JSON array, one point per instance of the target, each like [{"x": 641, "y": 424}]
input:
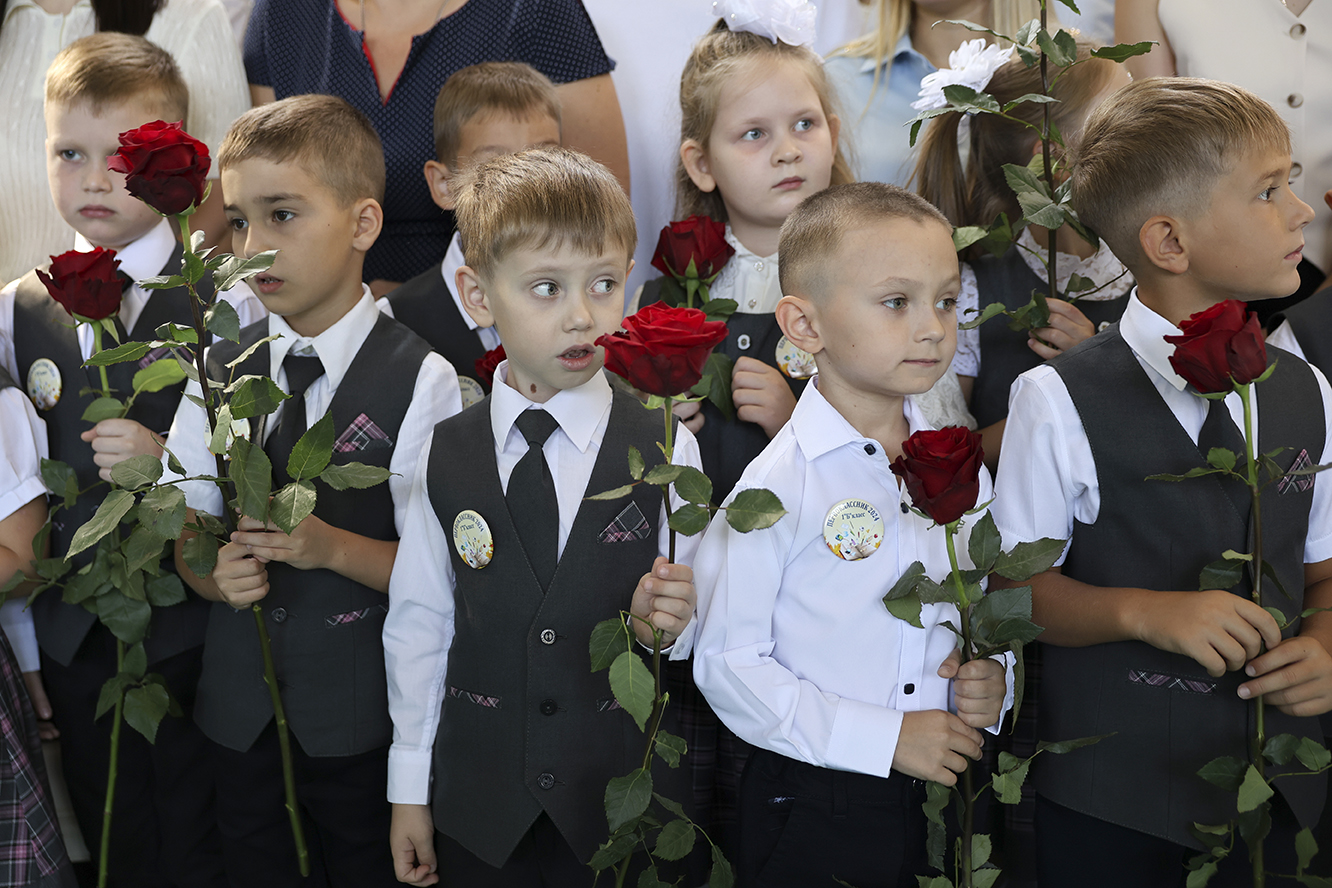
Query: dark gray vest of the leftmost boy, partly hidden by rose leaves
[{"x": 43, "y": 330}]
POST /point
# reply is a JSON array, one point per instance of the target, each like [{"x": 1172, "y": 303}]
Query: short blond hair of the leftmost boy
[{"x": 114, "y": 69}]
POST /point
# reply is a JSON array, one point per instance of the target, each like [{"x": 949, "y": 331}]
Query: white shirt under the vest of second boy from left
[{"x": 435, "y": 397}]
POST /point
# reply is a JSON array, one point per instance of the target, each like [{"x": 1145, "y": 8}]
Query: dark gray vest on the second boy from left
[{"x": 326, "y": 629}]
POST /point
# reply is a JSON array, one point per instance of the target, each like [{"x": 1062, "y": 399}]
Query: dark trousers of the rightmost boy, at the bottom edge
[{"x": 1078, "y": 851}]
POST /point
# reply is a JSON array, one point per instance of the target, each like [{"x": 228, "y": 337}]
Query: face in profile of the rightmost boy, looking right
[{"x": 1249, "y": 243}]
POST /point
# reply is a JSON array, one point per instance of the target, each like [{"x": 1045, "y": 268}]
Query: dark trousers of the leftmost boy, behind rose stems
[{"x": 163, "y": 830}]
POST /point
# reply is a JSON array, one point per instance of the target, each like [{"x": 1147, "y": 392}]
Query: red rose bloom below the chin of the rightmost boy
[{"x": 1218, "y": 347}]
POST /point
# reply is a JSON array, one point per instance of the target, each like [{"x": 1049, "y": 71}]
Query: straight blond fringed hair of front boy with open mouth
[{"x": 539, "y": 198}]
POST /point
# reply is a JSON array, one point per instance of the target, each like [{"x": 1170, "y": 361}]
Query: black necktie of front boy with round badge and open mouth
[{"x": 532, "y": 497}]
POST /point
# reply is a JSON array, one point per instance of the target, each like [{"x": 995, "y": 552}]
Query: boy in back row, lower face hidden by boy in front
[{"x": 483, "y": 111}]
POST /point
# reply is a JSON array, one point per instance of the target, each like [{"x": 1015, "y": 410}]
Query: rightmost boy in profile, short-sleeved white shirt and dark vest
[{"x": 1187, "y": 183}]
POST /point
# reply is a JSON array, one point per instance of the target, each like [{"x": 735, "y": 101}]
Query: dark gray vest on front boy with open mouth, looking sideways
[{"x": 525, "y": 725}]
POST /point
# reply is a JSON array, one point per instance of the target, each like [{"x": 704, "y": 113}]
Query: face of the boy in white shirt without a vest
[{"x": 888, "y": 322}]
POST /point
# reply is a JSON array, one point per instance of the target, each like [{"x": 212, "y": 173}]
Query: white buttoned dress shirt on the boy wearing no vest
[{"x": 796, "y": 650}]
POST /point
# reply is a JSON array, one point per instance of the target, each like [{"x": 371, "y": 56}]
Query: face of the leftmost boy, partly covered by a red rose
[{"x": 89, "y": 196}]
